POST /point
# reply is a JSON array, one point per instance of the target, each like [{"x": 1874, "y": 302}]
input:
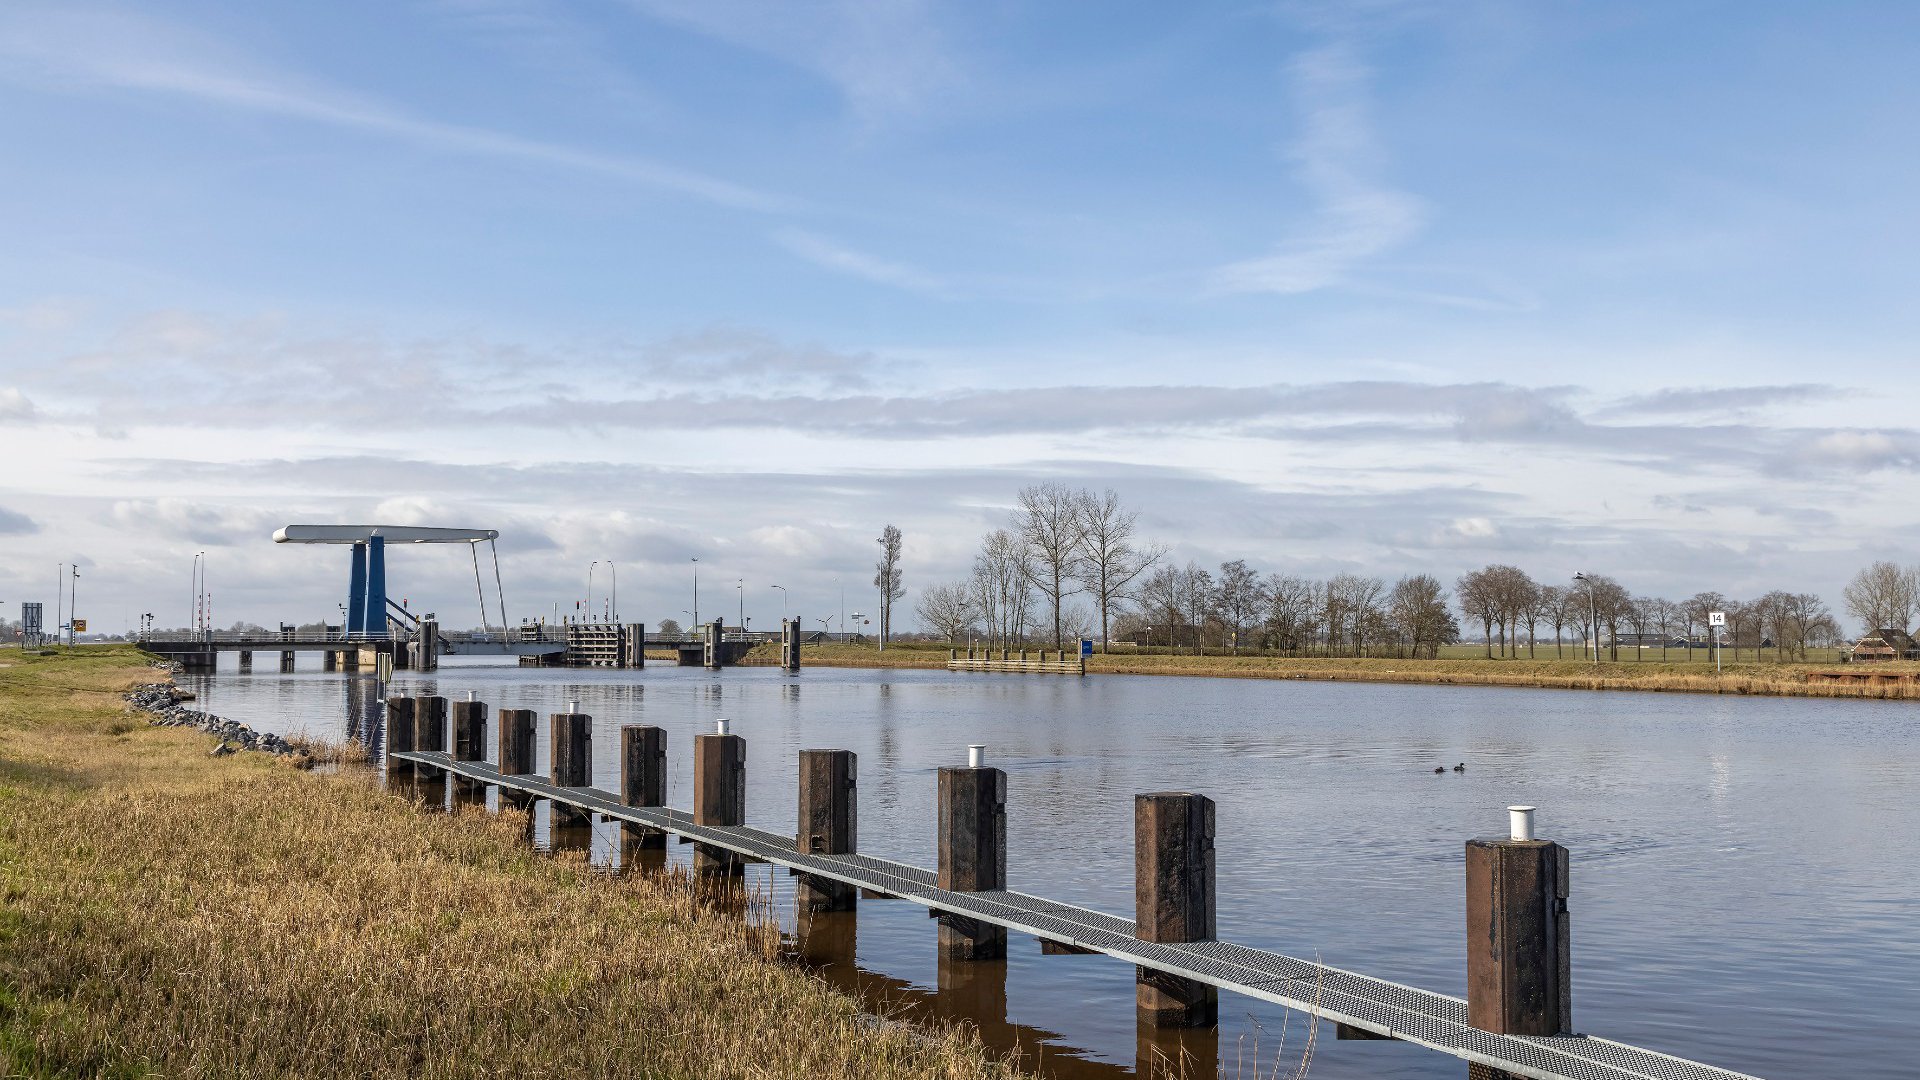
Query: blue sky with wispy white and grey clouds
[{"x": 1378, "y": 287}]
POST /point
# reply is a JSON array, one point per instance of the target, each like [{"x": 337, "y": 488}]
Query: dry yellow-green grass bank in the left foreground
[{"x": 164, "y": 912}]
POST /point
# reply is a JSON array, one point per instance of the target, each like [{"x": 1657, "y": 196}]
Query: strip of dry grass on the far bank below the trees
[{"x": 1698, "y": 677}]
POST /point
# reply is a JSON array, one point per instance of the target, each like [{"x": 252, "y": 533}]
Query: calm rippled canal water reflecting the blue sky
[{"x": 1746, "y": 873}]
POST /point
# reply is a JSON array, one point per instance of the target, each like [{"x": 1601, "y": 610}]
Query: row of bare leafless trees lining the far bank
[{"x": 1068, "y": 564}]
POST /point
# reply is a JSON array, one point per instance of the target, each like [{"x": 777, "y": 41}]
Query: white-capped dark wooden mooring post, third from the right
[{"x": 972, "y": 852}]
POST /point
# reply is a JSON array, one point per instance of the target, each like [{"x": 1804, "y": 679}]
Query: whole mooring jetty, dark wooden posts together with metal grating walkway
[{"x": 1516, "y": 1019}]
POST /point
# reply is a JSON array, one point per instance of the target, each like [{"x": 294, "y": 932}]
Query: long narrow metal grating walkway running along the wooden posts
[{"x": 1328, "y": 993}]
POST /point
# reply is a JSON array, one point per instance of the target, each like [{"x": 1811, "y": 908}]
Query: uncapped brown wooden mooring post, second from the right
[{"x": 1174, "y": 902}]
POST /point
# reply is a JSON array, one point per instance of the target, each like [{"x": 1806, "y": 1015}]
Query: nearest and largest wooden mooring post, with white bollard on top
[{"x": 1518, "y": 945}]
